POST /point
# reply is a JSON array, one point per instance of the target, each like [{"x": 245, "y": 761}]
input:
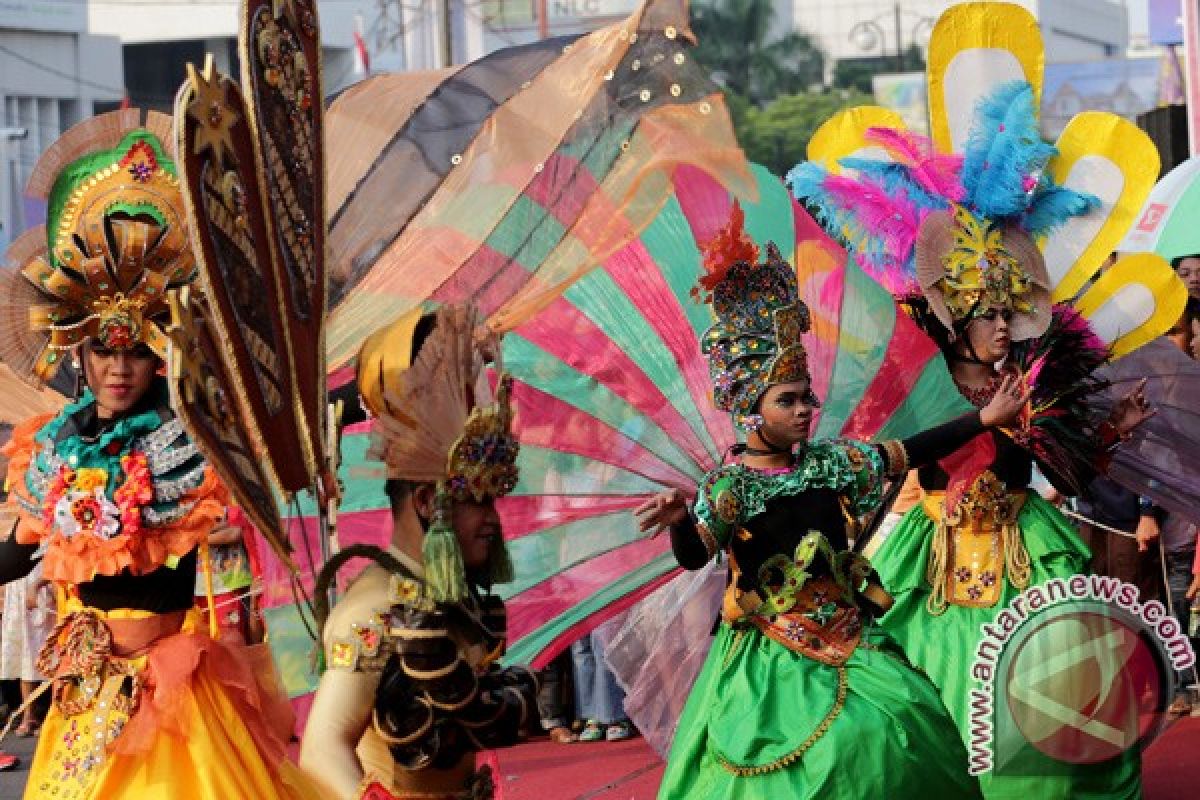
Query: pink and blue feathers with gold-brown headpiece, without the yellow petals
[{"x": 961, "y": 227}]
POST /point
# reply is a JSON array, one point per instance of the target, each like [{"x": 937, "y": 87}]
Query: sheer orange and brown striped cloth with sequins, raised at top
[{"x": 501, "y": 182}]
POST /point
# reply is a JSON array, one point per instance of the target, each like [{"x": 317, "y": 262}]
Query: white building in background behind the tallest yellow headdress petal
[{"x": 1073, "y": 31}]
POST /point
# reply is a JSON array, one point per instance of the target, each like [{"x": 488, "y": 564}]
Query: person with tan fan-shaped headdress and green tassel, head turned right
[{"x": 412, "y": 689}]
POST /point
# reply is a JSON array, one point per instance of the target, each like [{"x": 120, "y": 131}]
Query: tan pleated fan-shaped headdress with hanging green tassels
[{"x": 434, "y": 425}]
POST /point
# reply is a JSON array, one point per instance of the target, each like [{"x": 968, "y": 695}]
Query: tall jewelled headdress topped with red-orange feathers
[{"x": 760, "y": 320}]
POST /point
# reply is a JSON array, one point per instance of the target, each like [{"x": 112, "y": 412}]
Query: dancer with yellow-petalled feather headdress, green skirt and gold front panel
[{"x": 981, "y": 231}]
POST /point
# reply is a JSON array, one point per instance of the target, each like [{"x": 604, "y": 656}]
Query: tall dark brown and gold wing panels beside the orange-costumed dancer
[{"x": 251, "y": 172}]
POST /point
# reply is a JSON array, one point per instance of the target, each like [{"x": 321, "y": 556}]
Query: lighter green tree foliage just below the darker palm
[{"x": 778, "y": 136}]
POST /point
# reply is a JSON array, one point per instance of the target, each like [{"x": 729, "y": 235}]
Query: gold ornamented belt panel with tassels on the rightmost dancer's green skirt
[{"x": 977, "y": 545}]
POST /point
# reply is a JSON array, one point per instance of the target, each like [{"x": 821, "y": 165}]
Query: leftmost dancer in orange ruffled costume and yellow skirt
[{"x": 116, "y": 502}]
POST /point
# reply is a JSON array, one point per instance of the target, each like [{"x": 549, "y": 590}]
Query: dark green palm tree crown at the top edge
[{"x": 735, "y": 45}]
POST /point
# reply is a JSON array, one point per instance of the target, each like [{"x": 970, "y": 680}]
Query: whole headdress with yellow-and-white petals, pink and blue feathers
[{"x": 985, "y": 213}]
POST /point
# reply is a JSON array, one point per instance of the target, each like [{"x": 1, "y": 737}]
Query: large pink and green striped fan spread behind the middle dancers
[{"x": 614, "y": 405}]
